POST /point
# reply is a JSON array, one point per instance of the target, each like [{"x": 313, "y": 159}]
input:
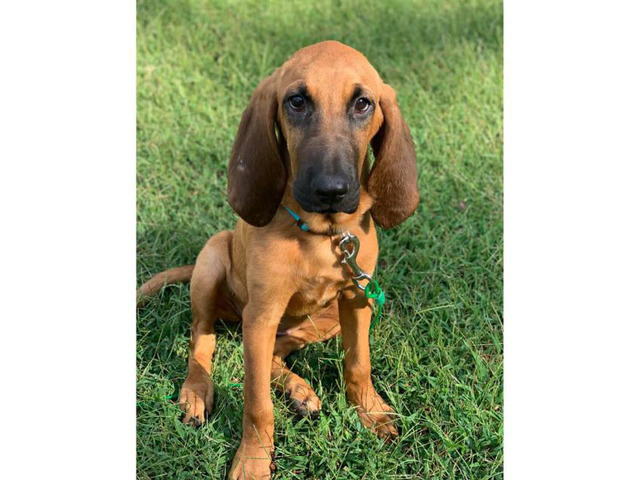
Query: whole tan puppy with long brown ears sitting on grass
[{"x": 302, "y": 144}]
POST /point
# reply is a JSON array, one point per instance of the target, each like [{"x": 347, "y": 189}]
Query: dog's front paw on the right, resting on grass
[{"x": 374, "y": 412}]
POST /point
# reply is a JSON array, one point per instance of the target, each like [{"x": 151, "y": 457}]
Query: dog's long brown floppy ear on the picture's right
[{"x": 393, "y": 182}]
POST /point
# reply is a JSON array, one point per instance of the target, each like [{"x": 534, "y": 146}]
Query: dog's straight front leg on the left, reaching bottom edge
[{"x": 259, "y": 324}]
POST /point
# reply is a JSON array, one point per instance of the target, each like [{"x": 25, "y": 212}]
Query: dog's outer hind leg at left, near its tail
[{"x": 207, "y": 285}]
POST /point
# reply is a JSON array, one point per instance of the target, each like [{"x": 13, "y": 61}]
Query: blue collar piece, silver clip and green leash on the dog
[{"x": 350, "y": 245}]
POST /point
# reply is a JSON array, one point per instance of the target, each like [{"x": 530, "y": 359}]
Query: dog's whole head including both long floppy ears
[{"x": 309, "y": 125}]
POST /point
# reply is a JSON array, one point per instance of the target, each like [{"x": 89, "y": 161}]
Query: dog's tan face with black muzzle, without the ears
[{"x": 328, "y": 113}]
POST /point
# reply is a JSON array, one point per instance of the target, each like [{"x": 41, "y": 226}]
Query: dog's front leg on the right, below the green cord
[{"x": 355, "y": 318}]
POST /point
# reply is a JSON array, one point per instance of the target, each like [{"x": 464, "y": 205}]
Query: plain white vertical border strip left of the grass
[{"x": 67, "y": 190}]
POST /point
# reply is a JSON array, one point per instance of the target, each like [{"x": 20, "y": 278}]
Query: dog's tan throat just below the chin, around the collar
[{"x": 327, "y": 223}]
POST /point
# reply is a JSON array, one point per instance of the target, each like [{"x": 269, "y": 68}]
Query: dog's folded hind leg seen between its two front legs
[{"x": 317, "y": 328}]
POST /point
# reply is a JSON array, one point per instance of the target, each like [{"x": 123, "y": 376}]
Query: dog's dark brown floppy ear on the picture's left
[{"x": 256, "y": 173}]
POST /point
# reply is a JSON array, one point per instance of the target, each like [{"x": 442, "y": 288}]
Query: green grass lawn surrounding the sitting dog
[{"x": 437, "y": 352}]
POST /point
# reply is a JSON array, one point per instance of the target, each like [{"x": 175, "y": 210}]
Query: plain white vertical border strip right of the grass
[{"x": 572, "y": 266}]
